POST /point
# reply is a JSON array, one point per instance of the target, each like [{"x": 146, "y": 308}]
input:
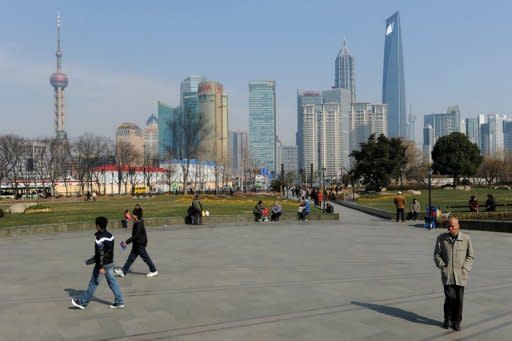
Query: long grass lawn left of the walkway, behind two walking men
[{"x": 75, "y": 210}]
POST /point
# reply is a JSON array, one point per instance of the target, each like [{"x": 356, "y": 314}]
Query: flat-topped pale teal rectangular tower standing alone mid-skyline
[{"x": 262, "y": 124}]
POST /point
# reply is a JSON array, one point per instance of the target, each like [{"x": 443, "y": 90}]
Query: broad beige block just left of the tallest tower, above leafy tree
[{"x": 367, "y": 119}]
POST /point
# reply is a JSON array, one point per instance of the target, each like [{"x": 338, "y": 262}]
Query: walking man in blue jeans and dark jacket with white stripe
[{"x": 103, "y": 261}]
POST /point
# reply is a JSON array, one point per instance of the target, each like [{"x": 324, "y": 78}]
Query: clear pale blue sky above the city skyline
[{"x": 121, "y": 57}]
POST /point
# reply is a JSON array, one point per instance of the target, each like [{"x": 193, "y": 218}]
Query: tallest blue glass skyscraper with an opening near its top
[{"x": 393, "y": 85}]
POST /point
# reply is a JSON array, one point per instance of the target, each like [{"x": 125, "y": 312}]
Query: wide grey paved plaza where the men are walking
[{"x": 360, "y": 278}]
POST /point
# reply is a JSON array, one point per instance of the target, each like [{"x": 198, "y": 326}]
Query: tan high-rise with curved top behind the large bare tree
[{"x": 213, "y": 106}]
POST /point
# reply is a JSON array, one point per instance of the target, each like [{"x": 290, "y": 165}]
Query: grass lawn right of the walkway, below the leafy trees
[{"x": 445, "y": 199}]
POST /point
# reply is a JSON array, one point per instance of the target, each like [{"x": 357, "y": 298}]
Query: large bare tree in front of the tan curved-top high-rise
[{"x": 190, "y": 133}]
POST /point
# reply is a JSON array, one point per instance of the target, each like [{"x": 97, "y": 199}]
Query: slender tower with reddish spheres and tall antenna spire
[{"x": 59, "y": 81}]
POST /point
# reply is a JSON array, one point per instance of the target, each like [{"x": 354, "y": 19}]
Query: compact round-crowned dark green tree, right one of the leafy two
[{"x": 455, "y": 155}]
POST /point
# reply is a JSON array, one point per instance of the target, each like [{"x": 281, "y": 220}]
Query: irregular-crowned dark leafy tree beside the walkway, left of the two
[{"x": 379, "y": 160}]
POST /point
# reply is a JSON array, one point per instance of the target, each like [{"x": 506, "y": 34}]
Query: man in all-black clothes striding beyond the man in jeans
[{"x": 139, "y": 241}]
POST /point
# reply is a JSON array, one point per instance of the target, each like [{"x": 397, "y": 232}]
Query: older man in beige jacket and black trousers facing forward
[{"x": 453, "y": 255}]
